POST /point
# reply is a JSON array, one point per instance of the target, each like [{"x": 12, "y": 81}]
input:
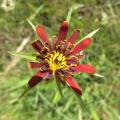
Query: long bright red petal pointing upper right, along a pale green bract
[{"x": 82, "y": 45}]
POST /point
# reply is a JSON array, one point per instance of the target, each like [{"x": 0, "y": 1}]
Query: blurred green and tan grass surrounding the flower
[{"x": 100, "y": 95}]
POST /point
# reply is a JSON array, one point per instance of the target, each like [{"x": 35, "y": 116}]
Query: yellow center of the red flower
[{"x": 56, "y": 60}]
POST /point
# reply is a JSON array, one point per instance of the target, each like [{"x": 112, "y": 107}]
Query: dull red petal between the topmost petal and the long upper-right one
[{"x": 72, "y": 39}]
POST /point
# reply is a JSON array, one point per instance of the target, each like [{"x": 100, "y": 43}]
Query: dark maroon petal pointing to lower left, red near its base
[{"x": 37, "y": 78}]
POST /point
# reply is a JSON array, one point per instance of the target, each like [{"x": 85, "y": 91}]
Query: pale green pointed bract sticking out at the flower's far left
[{"x": 23, "y": 55}]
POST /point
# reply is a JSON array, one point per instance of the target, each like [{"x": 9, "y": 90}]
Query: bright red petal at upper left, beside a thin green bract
[{"x": 42, "y": 33}]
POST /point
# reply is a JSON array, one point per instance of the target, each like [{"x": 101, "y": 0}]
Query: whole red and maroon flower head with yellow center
[{"x": 59, "y": 57}]
